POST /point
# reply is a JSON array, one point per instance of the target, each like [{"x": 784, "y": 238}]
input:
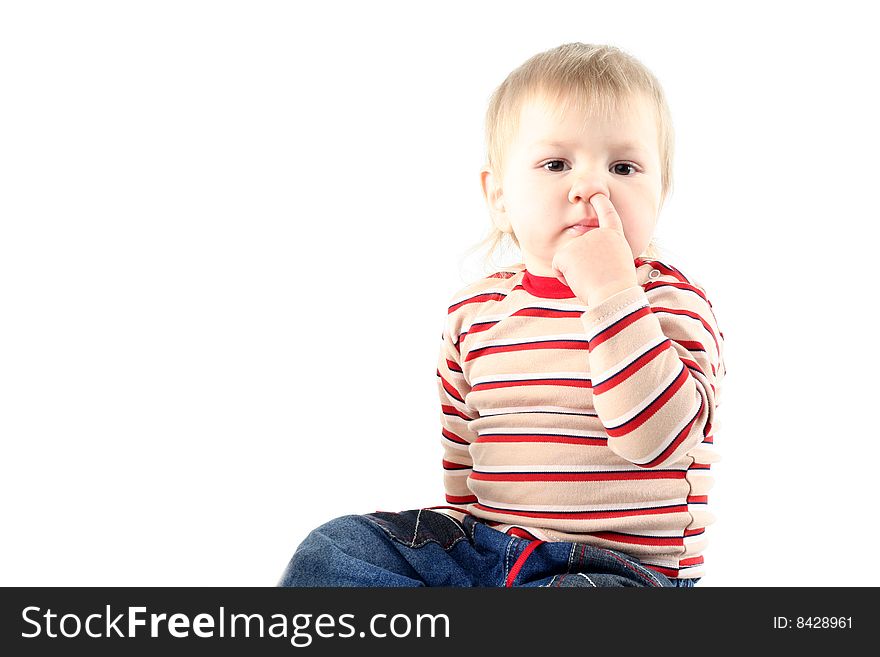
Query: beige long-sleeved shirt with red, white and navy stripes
[{"x": 563, "y": 422}]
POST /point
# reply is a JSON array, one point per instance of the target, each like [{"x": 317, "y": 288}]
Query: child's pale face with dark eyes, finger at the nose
[{"x": 545, "y": 189}]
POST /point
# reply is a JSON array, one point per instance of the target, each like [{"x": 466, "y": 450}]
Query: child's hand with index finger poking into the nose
[{"x": 599, "y": 263}]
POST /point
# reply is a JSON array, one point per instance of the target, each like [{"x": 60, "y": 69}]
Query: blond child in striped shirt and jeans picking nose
[{"x": 579, "y": 387}]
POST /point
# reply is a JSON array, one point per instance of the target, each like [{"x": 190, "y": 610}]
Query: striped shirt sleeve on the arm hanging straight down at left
[{"x": 455, "y": 415}]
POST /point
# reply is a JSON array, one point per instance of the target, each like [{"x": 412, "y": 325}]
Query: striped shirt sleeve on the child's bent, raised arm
[{"x": 655, "y": 367}]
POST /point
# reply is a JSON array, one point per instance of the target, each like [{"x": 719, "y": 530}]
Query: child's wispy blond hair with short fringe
[{"x": 573, "y": 77}]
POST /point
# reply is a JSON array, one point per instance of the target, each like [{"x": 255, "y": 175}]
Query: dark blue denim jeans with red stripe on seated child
[{"x": 425, "y": 548}]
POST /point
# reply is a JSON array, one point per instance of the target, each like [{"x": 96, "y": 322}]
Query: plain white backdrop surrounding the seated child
[{"x": 230, "y": 231}]
